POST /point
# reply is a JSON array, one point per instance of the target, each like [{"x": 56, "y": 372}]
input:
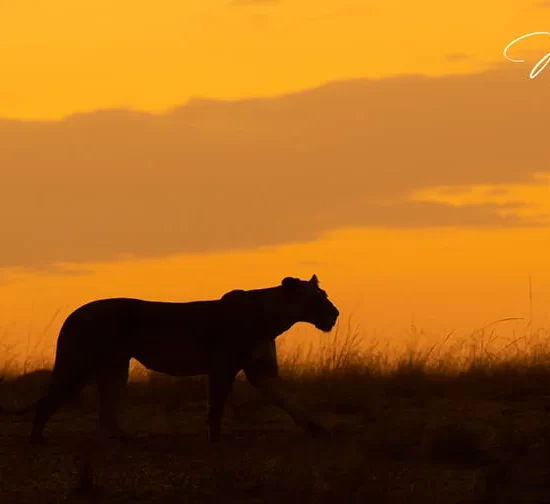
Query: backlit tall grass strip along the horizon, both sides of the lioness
[{"x": 346, "y": 350}]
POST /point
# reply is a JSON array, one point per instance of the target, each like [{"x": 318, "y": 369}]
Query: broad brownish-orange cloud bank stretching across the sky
[{"x": 212, "y": 176}]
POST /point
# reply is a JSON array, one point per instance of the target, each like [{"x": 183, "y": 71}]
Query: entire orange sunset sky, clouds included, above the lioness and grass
[{"x": 176, "y": 150}]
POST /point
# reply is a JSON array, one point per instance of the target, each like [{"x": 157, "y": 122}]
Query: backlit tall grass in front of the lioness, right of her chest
[{"x": 346, "y": 348}]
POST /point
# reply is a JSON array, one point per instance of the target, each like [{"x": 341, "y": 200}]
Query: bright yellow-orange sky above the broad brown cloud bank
[{"x": 62, "y": 56}]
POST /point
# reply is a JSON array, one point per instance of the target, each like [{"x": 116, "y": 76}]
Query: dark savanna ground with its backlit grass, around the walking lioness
[{"x": 461, "y": 421}]
